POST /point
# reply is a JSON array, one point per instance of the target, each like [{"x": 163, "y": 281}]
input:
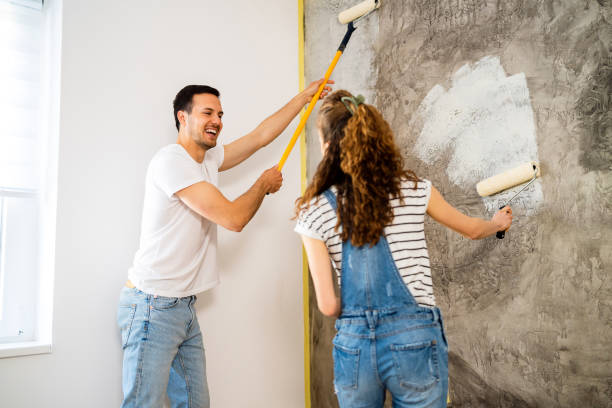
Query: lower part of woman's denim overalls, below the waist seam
[{"x": 403, "y": 352}]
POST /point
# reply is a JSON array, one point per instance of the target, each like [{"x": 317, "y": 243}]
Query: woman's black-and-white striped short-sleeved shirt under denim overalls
[{"x": 405, "y": 235}]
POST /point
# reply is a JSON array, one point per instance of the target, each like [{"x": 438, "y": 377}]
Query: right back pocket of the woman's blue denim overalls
[{"x": 417, "y": 365}]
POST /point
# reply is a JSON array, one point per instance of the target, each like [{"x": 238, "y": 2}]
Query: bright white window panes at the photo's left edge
[{"x": 21, "y": 27}]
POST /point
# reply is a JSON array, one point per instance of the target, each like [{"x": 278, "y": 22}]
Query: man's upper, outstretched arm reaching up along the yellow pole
[{"x": 268, "y": 130}]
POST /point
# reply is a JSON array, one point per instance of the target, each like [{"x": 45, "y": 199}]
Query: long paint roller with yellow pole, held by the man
[{"x": 349, "y": 16}]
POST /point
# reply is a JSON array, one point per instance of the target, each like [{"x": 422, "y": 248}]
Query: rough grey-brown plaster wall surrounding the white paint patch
[{"x": 529, "y": 319}]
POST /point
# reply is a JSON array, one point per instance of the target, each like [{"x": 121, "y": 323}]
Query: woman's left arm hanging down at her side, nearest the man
[{"x": 322, "y": 275}]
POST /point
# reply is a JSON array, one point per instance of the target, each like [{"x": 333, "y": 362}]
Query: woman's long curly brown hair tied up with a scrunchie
[{"x": 365, "y": 165}]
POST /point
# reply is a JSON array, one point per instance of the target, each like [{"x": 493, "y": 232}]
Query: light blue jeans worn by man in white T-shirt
[{"x": 162, "y": 351}]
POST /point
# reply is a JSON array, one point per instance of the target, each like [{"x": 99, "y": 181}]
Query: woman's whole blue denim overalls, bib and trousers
[{"x": 385, "y": 340}]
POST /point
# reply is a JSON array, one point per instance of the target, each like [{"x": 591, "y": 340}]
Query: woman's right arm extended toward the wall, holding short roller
[{"x": 469, "y": 227}]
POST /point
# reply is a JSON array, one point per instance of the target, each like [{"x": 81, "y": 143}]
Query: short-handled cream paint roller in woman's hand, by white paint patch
[{"x": 508, "y": 179}]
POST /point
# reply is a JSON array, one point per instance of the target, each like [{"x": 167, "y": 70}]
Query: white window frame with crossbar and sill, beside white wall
[{"x": 47, "y": 194}]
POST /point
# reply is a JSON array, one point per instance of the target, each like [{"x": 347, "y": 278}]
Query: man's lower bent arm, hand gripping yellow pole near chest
[{"x": 206, "y": 200}]
